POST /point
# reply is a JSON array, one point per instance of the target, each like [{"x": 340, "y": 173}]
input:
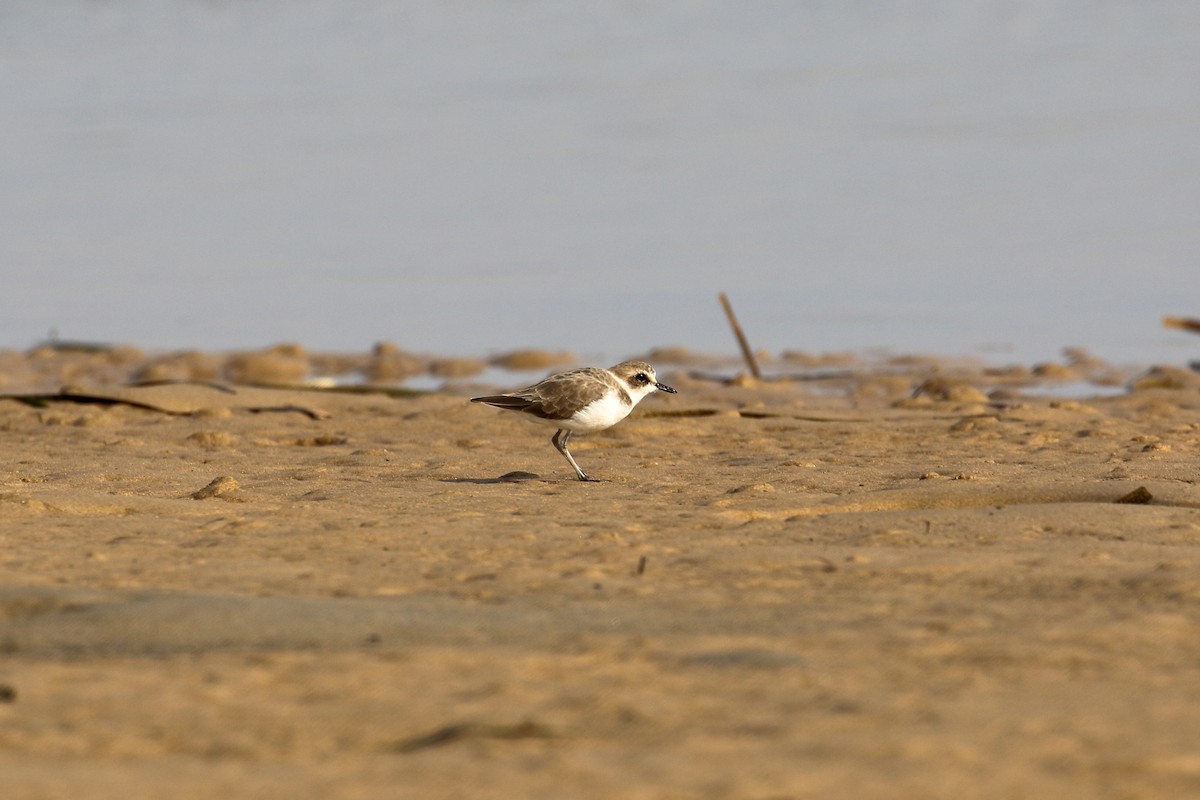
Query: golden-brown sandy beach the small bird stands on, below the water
[{"x": 791, "y": 590}]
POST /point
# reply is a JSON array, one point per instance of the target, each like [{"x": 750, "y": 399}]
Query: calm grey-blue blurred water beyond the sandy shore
[{"x": 985, "y": 178}]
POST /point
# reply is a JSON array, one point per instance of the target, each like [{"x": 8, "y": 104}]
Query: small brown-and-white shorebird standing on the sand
[{"x": 581, "y": 401}]
